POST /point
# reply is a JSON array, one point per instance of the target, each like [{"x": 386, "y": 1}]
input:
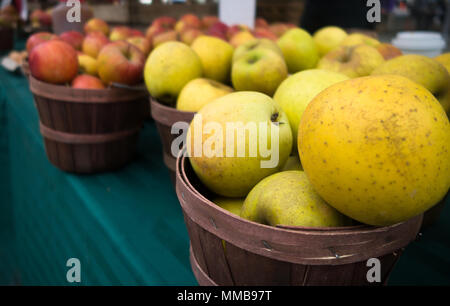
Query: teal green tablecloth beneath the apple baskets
[{"x": 125, "y": 227}]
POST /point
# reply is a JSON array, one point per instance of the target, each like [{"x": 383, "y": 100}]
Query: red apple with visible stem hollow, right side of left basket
[{"x": 121, "y": 62}]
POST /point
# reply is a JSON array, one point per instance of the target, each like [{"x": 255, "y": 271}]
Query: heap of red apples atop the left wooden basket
[{"x": 93, "y": 60}]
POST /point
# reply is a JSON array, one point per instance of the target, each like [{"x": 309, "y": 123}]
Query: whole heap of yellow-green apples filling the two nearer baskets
[{"x": 363, "y": 129}]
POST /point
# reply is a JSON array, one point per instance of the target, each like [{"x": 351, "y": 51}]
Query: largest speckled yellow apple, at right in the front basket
[{"x": 377, "y": 148}]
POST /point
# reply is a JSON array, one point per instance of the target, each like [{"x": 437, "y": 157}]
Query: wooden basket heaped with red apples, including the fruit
[{"x": 88, "y": 95}]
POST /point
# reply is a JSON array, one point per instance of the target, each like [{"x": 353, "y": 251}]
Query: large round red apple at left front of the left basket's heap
[{"x": 54, "y": 61}]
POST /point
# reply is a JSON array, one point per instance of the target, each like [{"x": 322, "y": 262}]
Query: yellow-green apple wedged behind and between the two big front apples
[{"x": 295, "y": 93}]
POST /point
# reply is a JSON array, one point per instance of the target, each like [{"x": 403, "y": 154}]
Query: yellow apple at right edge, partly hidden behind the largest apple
[{"x": 423, "y": 70}]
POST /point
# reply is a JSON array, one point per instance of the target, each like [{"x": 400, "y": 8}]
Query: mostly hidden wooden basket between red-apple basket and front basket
[{"x": 165, "y": 117}]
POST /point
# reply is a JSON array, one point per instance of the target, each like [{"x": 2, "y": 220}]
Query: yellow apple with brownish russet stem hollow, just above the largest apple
[{"x": 353, "y": 61}]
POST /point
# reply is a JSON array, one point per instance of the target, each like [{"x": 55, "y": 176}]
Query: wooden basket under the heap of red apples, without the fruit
[{"x": 88, "y": 131}]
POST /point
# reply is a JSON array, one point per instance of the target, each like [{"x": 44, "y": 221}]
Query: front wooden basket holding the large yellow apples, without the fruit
[{"x": 256, "y": 254}]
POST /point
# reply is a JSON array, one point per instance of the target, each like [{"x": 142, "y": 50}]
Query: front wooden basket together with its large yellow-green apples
[{"x": 342, "y": 216}]
